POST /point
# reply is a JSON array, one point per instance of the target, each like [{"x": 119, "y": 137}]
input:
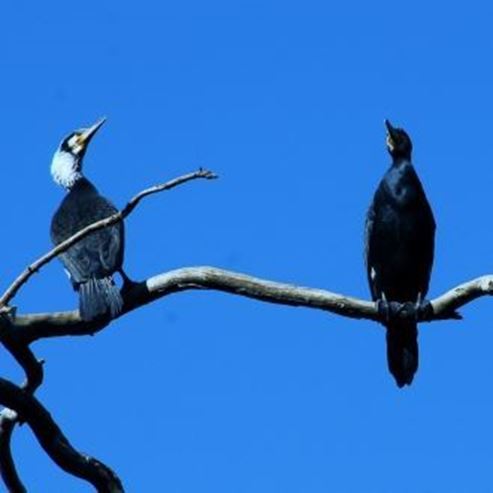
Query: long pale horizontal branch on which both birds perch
[{"x": 31, "y": 327}]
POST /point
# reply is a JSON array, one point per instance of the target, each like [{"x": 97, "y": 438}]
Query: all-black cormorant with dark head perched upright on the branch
[{"x": 399, "y": 250}]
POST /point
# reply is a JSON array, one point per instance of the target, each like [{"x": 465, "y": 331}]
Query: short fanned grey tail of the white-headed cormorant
[{"x": 99, "y": 298}]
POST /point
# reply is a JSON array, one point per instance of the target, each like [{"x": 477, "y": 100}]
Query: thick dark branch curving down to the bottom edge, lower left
[{"x": 54, "y": 442}]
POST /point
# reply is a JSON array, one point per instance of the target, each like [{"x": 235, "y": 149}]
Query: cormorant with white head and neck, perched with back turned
[{"x": 91, "y": 262}]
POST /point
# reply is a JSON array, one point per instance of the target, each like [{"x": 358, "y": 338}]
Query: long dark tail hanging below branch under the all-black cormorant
[{"x": 402, "y": 351}]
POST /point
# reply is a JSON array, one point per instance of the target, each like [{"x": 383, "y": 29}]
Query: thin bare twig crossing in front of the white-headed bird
[{"x": 12, "y": 290}]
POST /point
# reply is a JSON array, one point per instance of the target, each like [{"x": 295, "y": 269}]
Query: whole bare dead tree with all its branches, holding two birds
[{"x": 19, "y": 331}]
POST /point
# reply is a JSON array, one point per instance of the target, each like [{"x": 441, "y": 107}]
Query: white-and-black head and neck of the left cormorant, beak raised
[{"x": 66, "y": 166}]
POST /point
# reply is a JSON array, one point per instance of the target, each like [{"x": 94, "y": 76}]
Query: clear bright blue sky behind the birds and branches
[{"x": 206, "y": 392}]
